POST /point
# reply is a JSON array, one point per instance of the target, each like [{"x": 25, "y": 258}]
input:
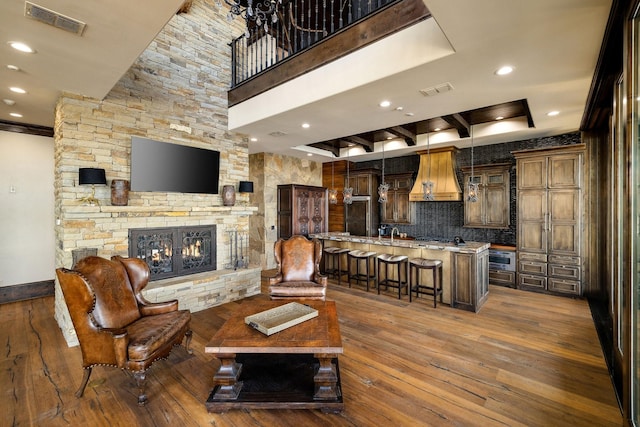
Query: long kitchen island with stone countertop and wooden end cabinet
[{"x": 465, "y": 267}]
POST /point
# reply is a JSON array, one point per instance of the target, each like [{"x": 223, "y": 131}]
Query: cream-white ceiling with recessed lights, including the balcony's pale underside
[{"x": 553, "y": 45}]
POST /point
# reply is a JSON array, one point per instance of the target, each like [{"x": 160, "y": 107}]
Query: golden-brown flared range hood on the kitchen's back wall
[{"x": 442, "y": 173}]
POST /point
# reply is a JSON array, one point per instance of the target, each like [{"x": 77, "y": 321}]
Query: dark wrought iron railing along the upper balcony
[{"x": 300, "y": 25}]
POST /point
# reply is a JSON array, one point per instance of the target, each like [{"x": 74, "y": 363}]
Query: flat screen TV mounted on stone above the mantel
[{"x": 164, "y": 167}]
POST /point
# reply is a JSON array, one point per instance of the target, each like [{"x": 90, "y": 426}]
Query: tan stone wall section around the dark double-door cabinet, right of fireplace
[{"x": 268, "y": 171}]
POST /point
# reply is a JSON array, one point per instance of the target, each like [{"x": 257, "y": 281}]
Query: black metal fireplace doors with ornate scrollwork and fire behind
[{"x": 174, "y": 251}]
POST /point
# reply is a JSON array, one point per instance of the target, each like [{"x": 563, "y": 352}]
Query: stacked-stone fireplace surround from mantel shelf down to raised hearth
[{"x": 107, "y": 228}]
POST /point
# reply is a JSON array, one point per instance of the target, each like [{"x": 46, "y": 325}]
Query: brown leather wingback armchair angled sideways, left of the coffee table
[{"x": 114, "y": 323}]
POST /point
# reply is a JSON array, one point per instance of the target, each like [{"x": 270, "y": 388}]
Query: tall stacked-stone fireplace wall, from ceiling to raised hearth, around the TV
[{"x": 175, "y": 92}]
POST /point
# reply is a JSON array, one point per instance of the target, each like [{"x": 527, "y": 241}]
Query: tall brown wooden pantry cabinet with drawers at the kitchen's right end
[{"x": 550, "y": 242}]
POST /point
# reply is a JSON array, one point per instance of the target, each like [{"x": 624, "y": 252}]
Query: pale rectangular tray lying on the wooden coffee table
[{"x": 279, "y": 318}]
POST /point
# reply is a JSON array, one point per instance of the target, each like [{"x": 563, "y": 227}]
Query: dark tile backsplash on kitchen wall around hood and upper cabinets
[{"x": 445, "y": 220}]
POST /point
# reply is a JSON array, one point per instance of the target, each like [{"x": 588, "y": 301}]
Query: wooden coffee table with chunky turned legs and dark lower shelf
[{"x": 296, "y": 368}]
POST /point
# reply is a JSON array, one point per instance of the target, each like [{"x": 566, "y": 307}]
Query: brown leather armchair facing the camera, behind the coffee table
[{"x": 298, "y": 274}]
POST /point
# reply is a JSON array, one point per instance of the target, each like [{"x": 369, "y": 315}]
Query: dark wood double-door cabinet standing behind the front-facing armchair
[{"x": 302, "y": 209}]
